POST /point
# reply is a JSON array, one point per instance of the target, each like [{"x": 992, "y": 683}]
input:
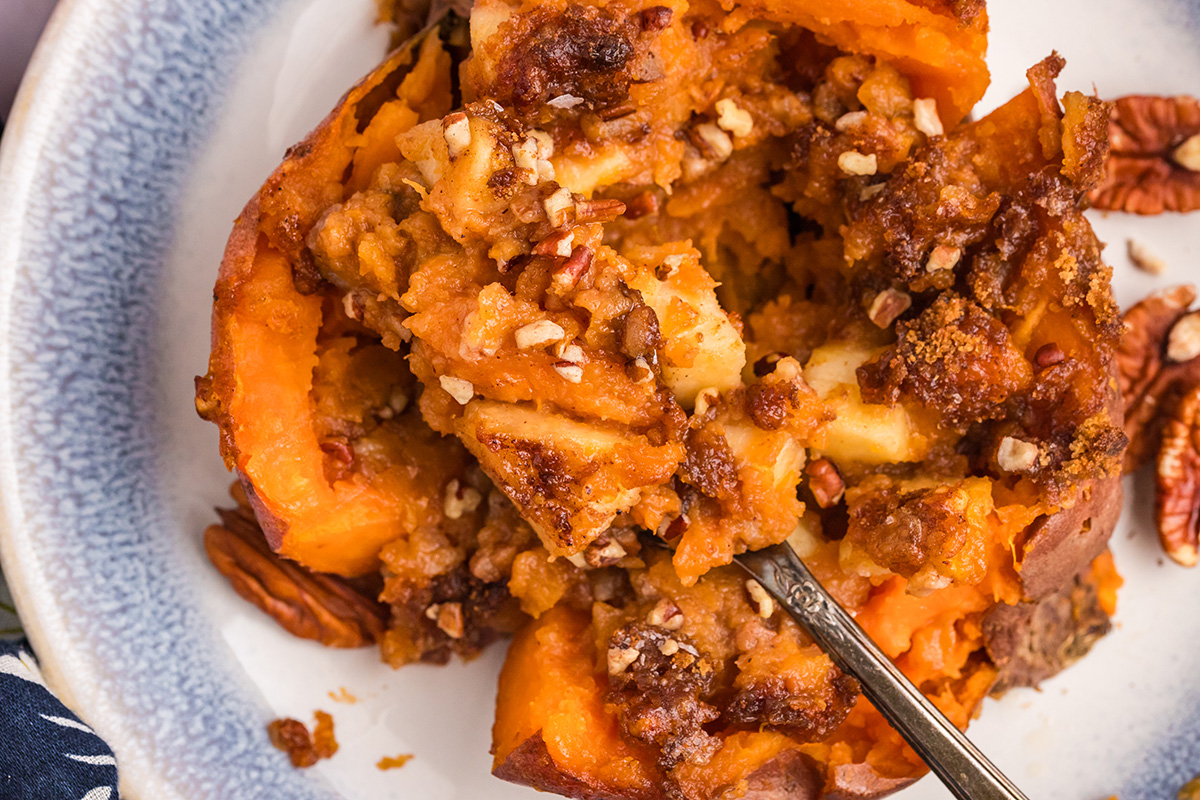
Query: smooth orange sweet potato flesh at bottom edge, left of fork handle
[{"x": 553, "y": 732}]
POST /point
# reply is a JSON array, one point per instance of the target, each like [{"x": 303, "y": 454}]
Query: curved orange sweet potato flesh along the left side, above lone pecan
[{"x": 266, "y": 347}]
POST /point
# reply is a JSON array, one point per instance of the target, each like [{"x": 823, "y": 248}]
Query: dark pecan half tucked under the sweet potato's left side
[{"x": 309, "y": 605}]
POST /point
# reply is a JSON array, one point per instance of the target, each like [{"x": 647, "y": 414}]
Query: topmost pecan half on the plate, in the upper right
[{"x": 1153, "y": 165}]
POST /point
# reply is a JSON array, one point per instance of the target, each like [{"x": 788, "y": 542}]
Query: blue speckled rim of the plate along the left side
[{"x": 119, "y": 99}]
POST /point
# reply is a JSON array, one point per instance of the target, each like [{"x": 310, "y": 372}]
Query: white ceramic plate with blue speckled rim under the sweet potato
[{"x": 142, "y": 130}]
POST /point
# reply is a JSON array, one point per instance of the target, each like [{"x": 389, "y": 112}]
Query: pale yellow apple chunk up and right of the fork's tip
[{"x": 862, "y": 434}]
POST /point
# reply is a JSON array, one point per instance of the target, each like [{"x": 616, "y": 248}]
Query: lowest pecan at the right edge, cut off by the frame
[{"x": 1178, "y": 483}]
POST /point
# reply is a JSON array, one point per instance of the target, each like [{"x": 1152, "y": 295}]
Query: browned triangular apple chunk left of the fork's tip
[{"x": 568, "y": 479}]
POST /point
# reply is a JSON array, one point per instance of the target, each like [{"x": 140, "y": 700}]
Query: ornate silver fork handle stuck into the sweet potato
[{"x": 965, "y": 772}]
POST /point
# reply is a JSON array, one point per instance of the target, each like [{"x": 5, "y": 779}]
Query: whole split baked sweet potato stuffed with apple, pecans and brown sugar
[{"x": 587, "y": 274}]
